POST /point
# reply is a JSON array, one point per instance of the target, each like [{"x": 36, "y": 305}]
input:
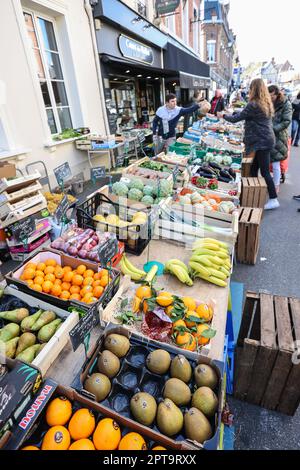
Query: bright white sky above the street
[{"x": 266, "y": 29}]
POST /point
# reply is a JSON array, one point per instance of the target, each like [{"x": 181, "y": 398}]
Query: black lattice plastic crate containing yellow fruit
[{"x": 135, "y": 236}]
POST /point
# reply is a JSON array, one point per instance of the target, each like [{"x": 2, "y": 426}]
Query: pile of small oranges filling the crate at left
[{"x": 66, "y": 283}]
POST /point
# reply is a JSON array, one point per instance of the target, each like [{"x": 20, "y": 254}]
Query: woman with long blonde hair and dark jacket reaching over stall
[{"x": 259, "y": 134}]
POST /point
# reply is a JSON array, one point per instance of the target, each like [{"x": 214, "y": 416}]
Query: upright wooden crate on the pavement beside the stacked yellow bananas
[{"x": 248, "y": 237}]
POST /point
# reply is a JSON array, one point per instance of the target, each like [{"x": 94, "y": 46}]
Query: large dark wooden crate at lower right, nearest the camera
[{"x": 267, "y": 369}]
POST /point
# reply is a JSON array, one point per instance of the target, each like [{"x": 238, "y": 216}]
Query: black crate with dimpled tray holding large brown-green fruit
[{"x": 134, "y": 377}]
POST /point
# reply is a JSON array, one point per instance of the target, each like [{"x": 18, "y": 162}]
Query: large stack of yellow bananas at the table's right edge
[{"x": 211, "y": 261}]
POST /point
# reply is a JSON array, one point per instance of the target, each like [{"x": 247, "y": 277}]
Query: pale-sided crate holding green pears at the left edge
[{"x": 14, "y": 298}]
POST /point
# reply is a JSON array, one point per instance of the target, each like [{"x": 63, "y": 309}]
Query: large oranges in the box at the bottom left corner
[{"x": 79, "y": 430}]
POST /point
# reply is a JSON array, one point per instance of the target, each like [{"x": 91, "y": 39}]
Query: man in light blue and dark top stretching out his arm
[{"x": 166, "y": 120}]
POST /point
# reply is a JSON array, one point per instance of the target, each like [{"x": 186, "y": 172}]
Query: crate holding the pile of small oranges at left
[{"x": 13, "y": 278}]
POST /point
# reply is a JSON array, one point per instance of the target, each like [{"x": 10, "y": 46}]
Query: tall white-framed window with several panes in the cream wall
[{"x": 49, "y": 71}]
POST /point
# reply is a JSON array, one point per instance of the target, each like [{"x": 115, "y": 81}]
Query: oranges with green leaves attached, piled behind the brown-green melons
[{"x": 191, "y": 319}]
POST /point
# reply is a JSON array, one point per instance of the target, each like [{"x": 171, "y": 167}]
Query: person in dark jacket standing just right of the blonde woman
[{"x": 281, "y": 121}]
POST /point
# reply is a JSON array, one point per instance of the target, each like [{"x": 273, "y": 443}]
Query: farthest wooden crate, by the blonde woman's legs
[{"x": 254, "y": 192}]
